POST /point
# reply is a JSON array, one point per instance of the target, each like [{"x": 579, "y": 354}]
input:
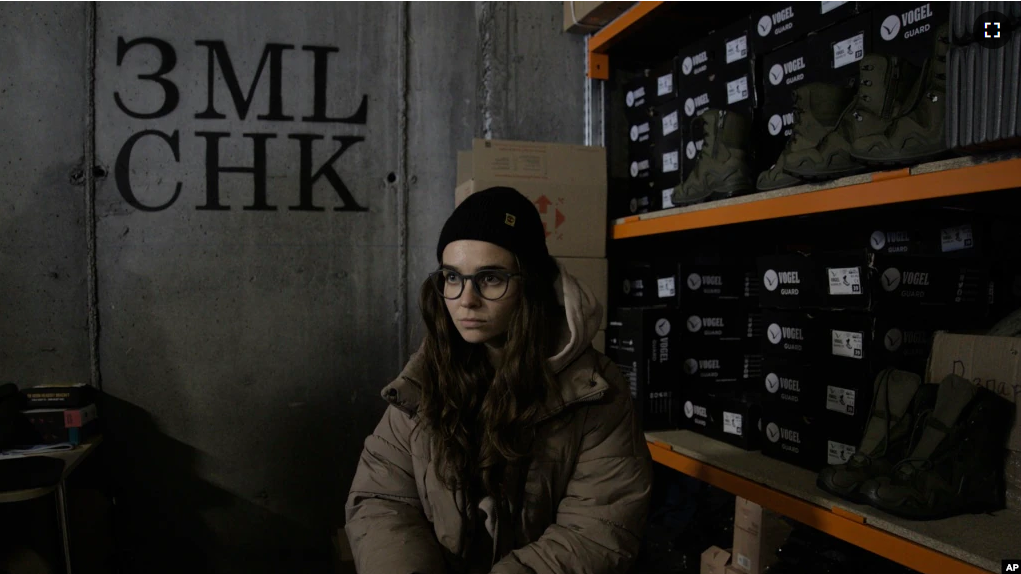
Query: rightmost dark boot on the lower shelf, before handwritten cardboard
[{"x": 957, "y": 465}]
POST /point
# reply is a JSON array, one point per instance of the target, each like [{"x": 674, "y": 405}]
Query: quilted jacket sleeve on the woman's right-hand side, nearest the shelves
[{"x": 602, "y": 518}]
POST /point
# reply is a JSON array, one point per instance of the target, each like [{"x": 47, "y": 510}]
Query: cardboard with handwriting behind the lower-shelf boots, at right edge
[{"x": 994, "y": 363}]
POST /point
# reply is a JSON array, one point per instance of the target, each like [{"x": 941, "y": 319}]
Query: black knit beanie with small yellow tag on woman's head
[{"x": 501, "y": 216}]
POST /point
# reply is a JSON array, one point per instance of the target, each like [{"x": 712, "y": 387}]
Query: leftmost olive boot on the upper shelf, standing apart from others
[{"x": 723, "y": 167}]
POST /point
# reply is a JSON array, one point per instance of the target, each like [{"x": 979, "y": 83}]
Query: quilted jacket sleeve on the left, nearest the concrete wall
[{"x": 386, "y": 527}]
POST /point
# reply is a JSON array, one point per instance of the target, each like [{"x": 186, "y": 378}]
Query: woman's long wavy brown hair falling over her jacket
[{"x": 482, "y": 418}]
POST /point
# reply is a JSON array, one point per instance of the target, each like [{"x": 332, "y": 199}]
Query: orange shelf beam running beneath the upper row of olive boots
[{"x": 886, "y": 188}]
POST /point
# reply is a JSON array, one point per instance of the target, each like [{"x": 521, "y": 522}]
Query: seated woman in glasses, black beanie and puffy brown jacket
[{"x": 510, "y": 445}]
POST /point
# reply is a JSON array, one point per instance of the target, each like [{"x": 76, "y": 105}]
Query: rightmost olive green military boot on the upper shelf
[{"x": 918, "y": 135}]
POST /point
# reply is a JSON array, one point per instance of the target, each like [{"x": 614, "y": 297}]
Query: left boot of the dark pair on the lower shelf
[{"x": 900, "y": 401}]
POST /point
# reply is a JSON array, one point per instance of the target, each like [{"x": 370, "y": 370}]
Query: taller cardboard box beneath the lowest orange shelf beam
[{"x": 758, "y": 536}]
